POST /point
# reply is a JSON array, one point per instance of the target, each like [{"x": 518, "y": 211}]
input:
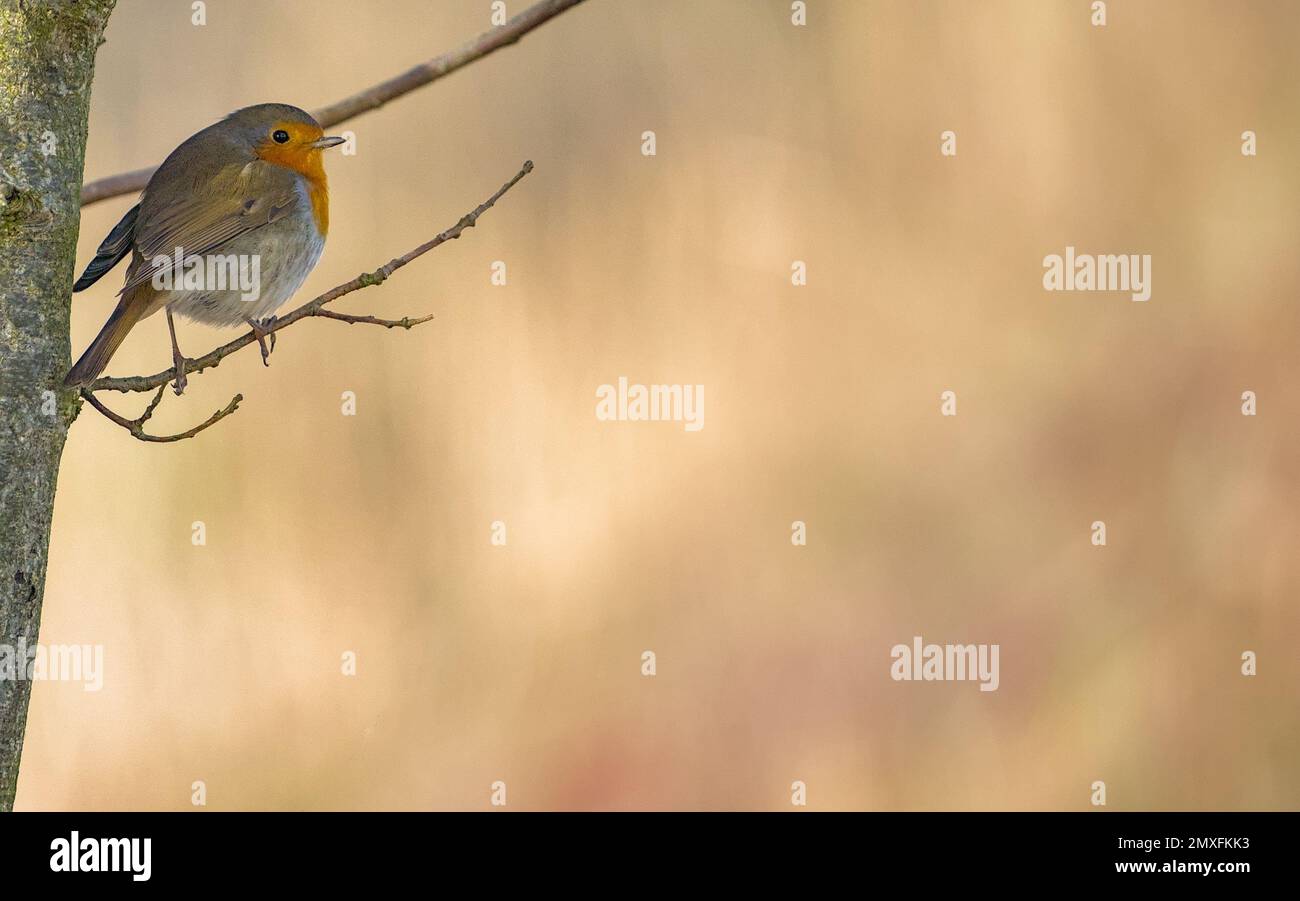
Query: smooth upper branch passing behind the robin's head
[{"x": 378, "y": 96}]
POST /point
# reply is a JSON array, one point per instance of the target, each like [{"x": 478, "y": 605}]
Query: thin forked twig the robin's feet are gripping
[{"x": 315, "y": 307}]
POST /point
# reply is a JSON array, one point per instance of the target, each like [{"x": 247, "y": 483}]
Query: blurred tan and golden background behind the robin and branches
[{"x": 476, "y": 664}]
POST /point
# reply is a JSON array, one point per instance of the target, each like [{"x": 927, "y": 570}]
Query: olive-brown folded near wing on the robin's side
[{"x": 239, "y": 201}]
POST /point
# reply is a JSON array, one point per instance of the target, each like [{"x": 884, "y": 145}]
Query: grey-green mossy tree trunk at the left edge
[{"x": 47, "y": 59}]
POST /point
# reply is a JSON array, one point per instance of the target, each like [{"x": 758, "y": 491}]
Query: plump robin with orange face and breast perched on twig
[{"x": 226, "y": 232}]
